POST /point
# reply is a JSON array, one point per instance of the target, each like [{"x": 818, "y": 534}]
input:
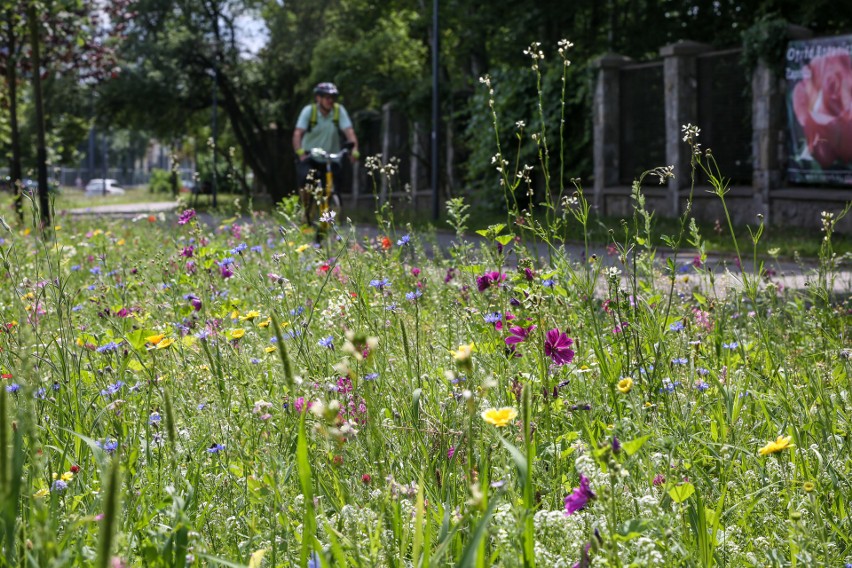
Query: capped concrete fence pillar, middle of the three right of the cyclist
[{"x": 680, "y": 78}]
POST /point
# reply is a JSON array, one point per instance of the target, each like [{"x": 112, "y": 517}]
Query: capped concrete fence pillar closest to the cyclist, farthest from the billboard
[{"x": 606, "y": 119}]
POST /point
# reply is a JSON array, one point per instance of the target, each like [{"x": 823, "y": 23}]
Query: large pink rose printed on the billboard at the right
[{"x": 822, "y": 102}]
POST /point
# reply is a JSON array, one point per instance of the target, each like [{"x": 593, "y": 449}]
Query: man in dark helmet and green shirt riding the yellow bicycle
[{"x": 319, "y": 126}]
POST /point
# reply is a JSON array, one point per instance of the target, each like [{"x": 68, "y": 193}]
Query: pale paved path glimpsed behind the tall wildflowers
[{"x": 788, "y": 273}]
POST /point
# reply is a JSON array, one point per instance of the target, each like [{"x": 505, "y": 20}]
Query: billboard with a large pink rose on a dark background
[{"x": 819, "y": 107}]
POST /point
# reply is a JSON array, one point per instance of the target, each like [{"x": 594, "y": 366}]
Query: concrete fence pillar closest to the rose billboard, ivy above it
[{"x": 769, "y": 128}]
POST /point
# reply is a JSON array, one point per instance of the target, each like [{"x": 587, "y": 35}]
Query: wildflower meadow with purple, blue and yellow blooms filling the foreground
[{"x": 179, "y": 390}]
